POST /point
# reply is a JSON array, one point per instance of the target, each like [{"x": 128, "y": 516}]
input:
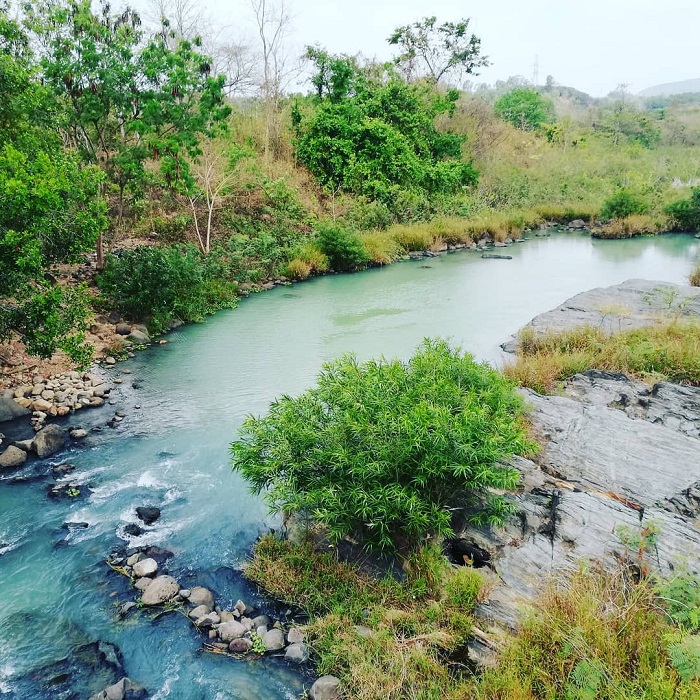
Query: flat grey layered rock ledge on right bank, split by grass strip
[{"x": 619, "y": 456}]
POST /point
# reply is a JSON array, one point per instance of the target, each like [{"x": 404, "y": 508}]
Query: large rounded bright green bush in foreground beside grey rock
[{"x": 388, "y": 451}]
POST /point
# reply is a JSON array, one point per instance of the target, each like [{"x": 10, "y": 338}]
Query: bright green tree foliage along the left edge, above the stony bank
[{"x": 50, "y": 211}]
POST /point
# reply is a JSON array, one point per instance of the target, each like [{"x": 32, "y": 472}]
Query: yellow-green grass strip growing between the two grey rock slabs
[{"x": 668, "y": 351}]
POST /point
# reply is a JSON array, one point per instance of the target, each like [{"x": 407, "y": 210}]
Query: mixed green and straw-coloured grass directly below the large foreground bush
[{"x": 382, "y": 638}]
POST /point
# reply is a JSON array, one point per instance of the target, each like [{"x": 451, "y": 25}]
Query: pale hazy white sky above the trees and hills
[{"x": 593, "y": 45}]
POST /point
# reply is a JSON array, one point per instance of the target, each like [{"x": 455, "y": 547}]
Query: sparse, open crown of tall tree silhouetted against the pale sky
[{"x": 439, "y": 52}]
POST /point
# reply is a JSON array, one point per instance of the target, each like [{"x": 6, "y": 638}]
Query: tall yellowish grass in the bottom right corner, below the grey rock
[{"x": 596, "y": 636}]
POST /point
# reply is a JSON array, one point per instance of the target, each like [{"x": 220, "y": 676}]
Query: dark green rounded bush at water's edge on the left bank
[{"x": 158, "y": 284}]
